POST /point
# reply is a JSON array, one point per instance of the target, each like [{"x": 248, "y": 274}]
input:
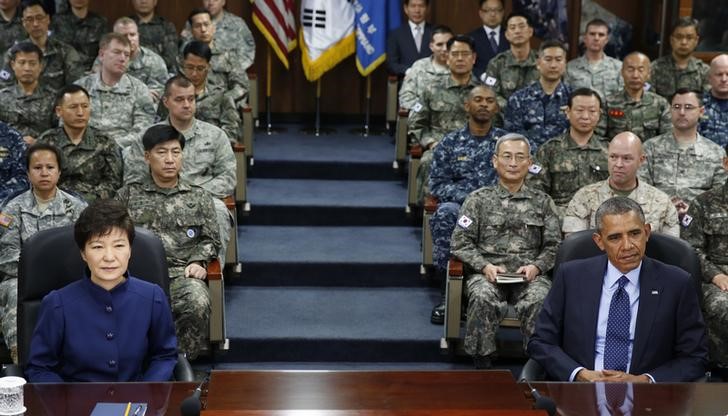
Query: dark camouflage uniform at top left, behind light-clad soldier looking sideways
[{"x": 82, "y": 34}]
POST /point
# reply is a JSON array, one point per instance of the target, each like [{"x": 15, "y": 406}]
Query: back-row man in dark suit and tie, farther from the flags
[{"x": 490, "y": 39}]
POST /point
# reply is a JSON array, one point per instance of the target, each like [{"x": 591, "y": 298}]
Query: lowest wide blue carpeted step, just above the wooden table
[{"x": 332, "y": 324}]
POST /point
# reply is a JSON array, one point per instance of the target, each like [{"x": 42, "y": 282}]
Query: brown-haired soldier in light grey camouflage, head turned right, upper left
[{"x": 121, "y": 105}]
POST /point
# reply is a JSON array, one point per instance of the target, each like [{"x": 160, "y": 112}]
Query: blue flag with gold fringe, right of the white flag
[{"x": 374, "y": 20}]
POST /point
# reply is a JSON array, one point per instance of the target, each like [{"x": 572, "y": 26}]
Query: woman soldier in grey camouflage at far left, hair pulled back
[{"x": 40, "y": 208}]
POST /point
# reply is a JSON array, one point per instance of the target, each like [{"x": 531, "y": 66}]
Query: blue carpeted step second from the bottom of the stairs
[{"x": 329, "y": 256}]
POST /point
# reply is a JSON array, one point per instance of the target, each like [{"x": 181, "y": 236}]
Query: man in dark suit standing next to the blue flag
[{"x": 410, "y": 41}]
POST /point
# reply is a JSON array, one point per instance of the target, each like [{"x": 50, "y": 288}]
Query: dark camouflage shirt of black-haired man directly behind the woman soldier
[{"x": 93, "y": 168}]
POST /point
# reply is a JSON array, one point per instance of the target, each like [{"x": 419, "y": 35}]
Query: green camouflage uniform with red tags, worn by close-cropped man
[{"x": 647, "y": 118}]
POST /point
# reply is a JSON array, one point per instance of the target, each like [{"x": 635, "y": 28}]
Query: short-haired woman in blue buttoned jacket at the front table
[{"x": 79, "y": 338}]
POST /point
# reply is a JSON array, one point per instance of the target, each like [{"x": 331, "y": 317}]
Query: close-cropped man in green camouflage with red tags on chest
[{"x": 636, "y": 108}]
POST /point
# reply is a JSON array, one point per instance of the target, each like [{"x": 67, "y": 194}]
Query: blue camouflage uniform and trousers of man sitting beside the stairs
[{"x": 461, "y": 163}]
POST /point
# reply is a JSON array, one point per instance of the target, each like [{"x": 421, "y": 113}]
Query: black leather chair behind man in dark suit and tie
[{"x": 665, "y": 248}]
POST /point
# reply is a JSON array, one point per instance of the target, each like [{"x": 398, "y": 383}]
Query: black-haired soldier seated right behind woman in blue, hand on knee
[{"x": 182, "y": 215}]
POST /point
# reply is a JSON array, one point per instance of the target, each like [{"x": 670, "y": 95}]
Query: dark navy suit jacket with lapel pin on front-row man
[{"x": 669, "y": 336}]
